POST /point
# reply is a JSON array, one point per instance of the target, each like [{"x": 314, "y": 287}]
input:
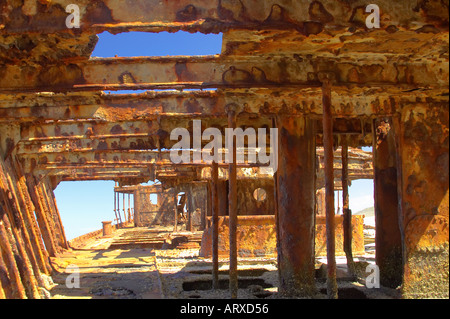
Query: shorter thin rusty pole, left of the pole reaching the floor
[{"x": 215, "y": 224}]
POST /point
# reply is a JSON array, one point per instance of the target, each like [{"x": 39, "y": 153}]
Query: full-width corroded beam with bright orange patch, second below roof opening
[{"x": 347, "y": 103}]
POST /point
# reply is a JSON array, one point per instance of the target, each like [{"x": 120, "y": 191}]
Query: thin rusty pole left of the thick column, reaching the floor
[{"x": 232, "y": 201}]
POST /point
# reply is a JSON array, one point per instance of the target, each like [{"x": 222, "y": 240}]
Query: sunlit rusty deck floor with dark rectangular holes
[{"x": 149, "y": 273}]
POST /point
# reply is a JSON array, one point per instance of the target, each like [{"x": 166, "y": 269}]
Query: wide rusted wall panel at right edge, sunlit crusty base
[{"x": 422, "y": 135}]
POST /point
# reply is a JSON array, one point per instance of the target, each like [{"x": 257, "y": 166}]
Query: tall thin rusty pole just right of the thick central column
[{"x": 329, "y": 185}]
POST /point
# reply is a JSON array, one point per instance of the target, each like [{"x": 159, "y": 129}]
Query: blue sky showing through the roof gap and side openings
[{"x": 84, "y": 205}]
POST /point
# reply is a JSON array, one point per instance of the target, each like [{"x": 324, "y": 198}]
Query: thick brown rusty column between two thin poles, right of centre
[{"x": 296, "y": 197}]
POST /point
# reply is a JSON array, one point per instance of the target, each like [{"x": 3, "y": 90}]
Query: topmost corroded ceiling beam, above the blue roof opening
[{"x": 212, "y": 16}]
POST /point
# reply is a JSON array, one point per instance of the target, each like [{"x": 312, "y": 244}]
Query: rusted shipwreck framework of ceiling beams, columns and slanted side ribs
[{"x": 313, "y": 70}]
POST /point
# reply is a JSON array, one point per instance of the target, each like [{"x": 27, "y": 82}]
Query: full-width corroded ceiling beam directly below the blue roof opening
[{"x": 216, "y": 72}]
